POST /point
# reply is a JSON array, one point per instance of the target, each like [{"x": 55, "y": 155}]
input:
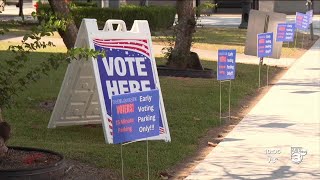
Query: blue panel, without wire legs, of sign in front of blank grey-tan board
[{"x": 264, "y": 44}]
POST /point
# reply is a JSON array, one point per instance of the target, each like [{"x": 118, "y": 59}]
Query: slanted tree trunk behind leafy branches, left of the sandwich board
[{"x": 70, "y": 35}]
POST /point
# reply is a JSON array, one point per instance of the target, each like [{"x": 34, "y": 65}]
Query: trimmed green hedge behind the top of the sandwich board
[{"x": 159, "y": 17}]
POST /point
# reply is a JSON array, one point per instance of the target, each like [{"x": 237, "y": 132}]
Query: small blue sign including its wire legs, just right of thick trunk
[{"x": 226, "y": 70}]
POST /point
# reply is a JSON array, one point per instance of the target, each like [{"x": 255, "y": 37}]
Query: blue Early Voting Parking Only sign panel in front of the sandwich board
[{"x": 135, "y": 116}]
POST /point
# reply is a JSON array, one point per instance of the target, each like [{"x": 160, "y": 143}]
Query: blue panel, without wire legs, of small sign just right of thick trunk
[{"x": 226, "y": 68}]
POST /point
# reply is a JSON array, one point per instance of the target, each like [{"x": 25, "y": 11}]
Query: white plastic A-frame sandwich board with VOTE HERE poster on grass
[{"x": 129, "y": 66}]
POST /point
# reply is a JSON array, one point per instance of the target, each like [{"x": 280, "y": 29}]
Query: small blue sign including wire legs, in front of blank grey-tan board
[{"x": 264, "y": 49}]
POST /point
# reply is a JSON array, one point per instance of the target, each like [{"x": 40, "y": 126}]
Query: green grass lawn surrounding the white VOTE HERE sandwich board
[{"x": 192, "y": 107}]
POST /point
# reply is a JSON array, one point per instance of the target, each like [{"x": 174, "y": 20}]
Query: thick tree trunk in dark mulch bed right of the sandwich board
[{"x": 181, "y": 57}]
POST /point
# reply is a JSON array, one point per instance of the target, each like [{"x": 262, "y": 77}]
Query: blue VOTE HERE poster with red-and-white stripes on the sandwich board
[{"x": 126, "y": 68}]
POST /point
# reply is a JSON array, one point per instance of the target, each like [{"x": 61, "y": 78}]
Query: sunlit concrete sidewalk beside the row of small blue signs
[{"x": 259, "y": 147}]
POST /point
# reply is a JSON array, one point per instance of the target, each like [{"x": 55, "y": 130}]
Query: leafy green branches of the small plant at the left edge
[{"x": 14, "y": 78}]
